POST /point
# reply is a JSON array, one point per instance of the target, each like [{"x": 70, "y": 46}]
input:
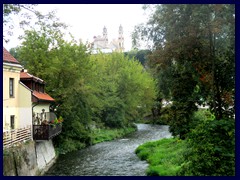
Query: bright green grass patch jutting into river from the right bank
[{"x": 164, "y": 156}]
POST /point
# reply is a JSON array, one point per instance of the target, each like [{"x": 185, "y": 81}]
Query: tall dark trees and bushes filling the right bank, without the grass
[{"x": 193, "y": 60}]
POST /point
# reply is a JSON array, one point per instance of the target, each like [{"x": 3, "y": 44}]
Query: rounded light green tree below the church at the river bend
[{"x": 127, "y": 90}]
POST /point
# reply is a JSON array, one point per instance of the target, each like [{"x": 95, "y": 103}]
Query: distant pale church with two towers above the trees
[{"x": 101, "y": 42}]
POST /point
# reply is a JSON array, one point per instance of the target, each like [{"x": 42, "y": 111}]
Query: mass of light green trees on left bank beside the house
[{"x": 91, "y": 90}]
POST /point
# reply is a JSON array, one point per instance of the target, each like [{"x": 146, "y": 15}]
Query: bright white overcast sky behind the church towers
[{"x": 88, "y": 20}]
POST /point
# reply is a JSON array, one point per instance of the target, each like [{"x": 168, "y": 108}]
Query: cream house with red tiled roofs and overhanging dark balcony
[{"x": 25, "y": 102}]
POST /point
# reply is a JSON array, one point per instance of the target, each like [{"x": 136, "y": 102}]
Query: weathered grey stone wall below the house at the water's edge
[{"x": 28, "y": 159}]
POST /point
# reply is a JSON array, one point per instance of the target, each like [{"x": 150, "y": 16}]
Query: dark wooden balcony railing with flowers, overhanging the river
[{"x": 46, "y": 132}]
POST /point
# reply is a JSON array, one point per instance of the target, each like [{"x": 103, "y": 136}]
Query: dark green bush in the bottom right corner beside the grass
[{"x": 211, "y": 149}]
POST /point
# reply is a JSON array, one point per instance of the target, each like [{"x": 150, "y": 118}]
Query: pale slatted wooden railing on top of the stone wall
[{"x": 16, "y": 136}]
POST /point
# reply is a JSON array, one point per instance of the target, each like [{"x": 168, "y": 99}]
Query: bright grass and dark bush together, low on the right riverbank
[{"x": 208, "y": 150}]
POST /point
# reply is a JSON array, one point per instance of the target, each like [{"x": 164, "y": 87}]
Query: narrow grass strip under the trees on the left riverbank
[{"x": 102, "y": 135}]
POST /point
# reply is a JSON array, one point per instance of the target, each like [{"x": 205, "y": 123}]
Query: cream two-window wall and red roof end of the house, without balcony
[{"x": 16, "y": 96}]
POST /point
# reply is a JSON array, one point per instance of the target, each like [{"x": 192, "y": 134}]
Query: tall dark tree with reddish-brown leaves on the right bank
[{"x": 189, "y": 59}]
